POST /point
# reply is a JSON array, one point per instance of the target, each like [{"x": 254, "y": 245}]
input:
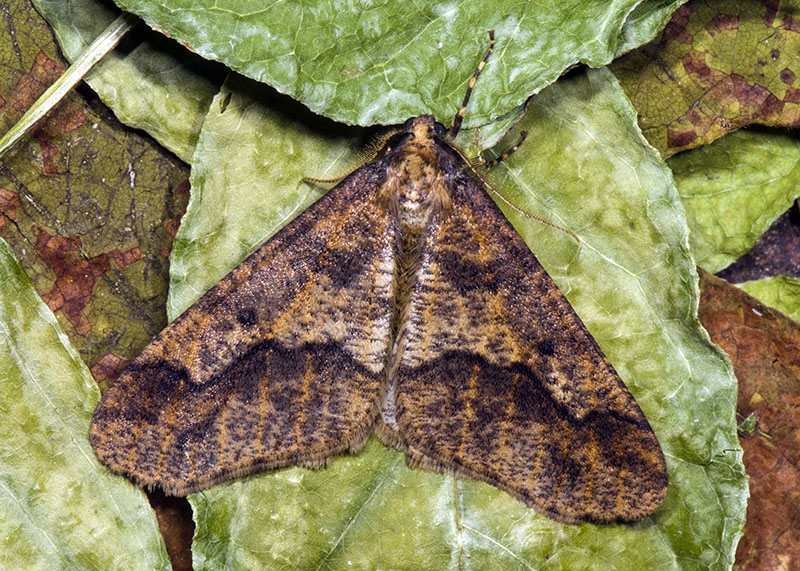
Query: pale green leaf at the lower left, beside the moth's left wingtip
[{"x": 60, "y": 508}]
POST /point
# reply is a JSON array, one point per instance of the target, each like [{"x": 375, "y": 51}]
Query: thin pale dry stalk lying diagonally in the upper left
[{"x": 104, "y": 43}]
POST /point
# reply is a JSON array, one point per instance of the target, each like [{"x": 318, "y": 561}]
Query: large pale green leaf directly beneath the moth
[{"x": 586, "y": 168}]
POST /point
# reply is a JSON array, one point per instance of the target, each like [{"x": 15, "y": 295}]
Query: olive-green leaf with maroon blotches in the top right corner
[{"x": 717, "y": 66}]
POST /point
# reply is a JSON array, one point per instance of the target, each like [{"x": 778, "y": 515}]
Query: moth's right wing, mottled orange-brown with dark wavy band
[{"x": 499, "y": 380}]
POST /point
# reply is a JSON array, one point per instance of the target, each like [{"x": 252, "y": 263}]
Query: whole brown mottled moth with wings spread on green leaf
[{"x": 404, "y": 303}]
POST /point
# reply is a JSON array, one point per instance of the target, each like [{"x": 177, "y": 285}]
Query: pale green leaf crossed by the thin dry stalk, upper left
[{"x": 151, "y": 84}]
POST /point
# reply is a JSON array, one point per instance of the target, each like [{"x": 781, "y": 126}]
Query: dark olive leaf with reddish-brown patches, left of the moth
[{"x": 88, "y": 207}]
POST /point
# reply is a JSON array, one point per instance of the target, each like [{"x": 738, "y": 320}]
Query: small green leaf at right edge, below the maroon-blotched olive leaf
[{"x": 734, "y": 189}]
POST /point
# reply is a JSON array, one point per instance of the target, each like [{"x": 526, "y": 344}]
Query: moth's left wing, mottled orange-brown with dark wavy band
[{"x": 281, "y": 363}]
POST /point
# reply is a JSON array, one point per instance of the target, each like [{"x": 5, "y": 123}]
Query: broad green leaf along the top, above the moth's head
[{"x": 382, "y": 63}]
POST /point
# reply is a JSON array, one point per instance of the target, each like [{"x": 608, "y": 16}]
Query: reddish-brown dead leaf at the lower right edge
[{"x": 764, "y": 346}]
